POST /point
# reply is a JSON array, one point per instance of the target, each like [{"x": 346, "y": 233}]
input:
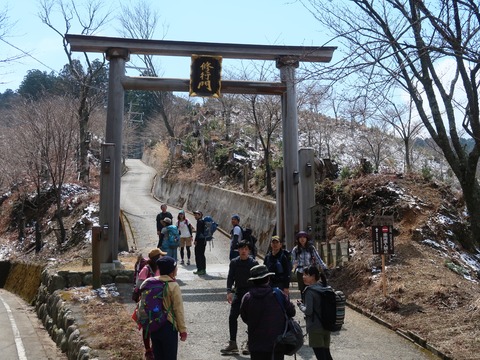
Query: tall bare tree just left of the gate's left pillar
[{"x": 90, "y": 19}]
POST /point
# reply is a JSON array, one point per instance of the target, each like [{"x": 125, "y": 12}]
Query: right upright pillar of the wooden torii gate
[{"x": 287, "y": 67}]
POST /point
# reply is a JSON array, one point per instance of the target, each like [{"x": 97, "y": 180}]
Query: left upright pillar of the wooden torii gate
[{"x": 113, "y": 134}]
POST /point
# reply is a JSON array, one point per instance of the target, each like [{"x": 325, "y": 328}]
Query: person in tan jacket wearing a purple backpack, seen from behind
[{"x": 161, "y": 311}]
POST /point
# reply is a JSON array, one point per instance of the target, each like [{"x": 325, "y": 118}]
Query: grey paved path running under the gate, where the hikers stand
[{"x": 205, "y": 297}]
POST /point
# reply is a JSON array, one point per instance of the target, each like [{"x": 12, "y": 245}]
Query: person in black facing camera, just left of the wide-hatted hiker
[{"x": 278, "y": 261}]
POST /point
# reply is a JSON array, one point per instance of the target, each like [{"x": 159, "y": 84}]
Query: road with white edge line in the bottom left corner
[{"x": 22, "y": 335}]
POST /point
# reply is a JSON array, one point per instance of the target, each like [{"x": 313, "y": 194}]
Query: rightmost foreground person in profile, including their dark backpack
[{"x": 320, "y": 311}]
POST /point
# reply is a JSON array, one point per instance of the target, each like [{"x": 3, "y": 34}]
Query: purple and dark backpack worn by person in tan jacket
[{"x": 150, "y": 312}]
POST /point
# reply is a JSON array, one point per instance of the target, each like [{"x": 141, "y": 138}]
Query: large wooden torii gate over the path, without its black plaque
[{"x": 118, "y": 51}]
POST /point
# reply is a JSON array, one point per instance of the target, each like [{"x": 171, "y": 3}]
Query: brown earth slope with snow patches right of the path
[{"x": 432, "y": 284}]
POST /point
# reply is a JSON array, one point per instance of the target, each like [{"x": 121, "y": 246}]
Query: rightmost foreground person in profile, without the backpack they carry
[{"x": 318, "y": 336}]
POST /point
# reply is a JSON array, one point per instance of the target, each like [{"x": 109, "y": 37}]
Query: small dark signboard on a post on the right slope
[{"x": 382, "y": 241}]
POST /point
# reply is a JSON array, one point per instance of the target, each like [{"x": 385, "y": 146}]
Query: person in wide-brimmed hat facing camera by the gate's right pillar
[{"x": 304, "y": 254}]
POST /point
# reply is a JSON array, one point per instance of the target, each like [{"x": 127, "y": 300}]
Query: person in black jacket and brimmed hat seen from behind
[{"x": 263, "y": 314}]
